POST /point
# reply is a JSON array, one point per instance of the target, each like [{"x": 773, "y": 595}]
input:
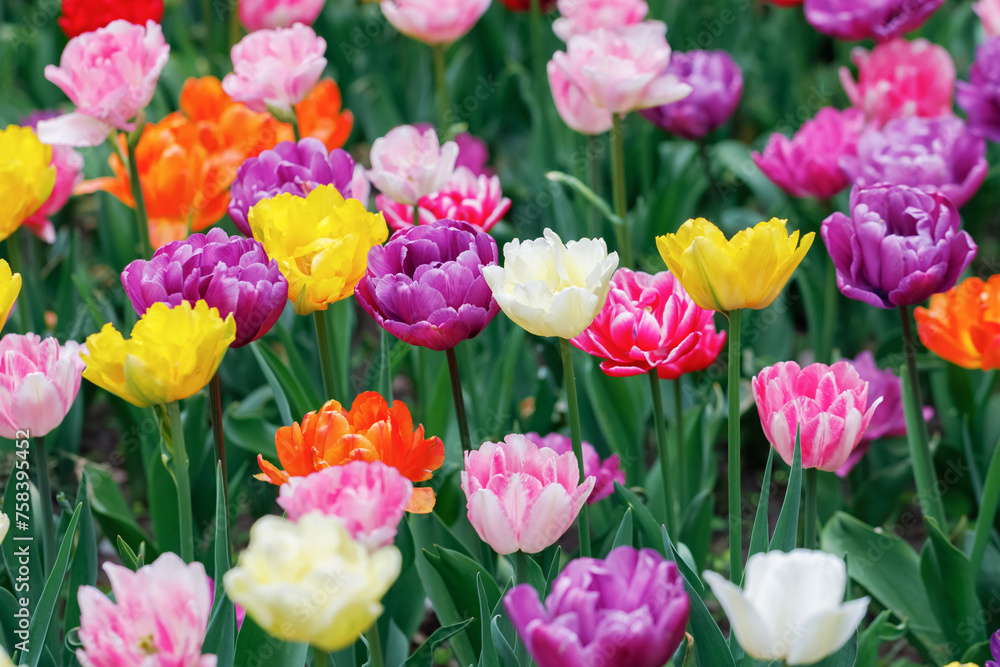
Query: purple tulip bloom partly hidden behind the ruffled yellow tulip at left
[{"x": 233, "y": 274}]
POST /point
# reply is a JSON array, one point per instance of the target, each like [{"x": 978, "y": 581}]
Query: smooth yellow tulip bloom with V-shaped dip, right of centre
[{"x": 748, "y": 271}]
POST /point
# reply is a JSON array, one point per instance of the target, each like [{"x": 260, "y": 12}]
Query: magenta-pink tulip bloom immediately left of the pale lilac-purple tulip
[{"x": 808, "y": 164}]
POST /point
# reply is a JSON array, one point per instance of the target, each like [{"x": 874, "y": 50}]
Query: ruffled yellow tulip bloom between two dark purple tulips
[{"x": 320, "y": 242}]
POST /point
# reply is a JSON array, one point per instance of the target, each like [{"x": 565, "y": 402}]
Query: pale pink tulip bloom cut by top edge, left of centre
[{"x": 434, "y": 21}]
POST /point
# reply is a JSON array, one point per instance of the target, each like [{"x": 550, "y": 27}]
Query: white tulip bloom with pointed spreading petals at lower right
[{"x": 792, "y": 608}]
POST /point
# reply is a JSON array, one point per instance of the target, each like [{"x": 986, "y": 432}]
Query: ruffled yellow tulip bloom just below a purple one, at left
[{"x": 172, "y": 354}]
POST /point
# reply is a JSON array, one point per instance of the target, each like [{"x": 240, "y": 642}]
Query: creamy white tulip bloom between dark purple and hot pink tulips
[{"x": 550, "y": 288}]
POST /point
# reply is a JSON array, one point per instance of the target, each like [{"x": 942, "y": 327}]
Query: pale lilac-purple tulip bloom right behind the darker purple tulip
[{"x": 933, "y": 154}]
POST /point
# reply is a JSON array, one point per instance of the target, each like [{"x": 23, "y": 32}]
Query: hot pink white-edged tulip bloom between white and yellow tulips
[{"x": 649, "y": 322}]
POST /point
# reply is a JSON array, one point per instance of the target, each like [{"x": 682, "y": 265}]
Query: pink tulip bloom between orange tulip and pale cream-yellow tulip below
[{"x": 369, "y": 498}]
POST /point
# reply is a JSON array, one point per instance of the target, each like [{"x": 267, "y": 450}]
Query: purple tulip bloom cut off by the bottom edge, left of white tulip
[{"x": 628, "y": 610}]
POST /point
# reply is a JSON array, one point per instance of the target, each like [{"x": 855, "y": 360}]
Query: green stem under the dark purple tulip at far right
[{"x": 920, "y": 449}]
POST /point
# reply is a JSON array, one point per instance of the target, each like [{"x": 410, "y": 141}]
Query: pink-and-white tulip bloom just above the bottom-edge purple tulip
[{"x": 521, "y": 496}]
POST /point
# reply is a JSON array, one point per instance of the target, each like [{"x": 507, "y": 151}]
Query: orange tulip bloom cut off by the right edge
[{"x": 962, "y": 325}]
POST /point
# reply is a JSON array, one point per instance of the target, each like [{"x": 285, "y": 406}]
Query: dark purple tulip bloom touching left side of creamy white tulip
[{"x": 426, "y": 287}]
